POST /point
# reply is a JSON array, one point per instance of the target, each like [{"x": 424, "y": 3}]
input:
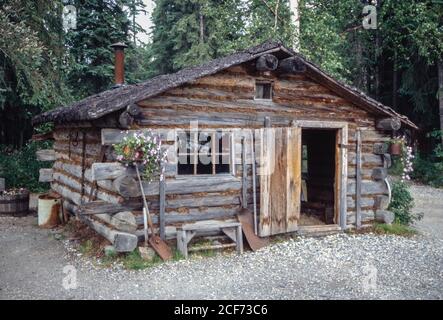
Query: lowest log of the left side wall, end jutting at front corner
[{"x": 122, "y": 242}]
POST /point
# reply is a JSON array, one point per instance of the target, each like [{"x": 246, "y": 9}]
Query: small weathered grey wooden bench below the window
[{"x": 187, "y": 232}]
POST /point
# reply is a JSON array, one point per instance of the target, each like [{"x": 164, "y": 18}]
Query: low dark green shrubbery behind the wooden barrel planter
[{"x": 20, "y": 168}]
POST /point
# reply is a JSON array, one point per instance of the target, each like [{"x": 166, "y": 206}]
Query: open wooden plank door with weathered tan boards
[{"x": 279, "y": 169}]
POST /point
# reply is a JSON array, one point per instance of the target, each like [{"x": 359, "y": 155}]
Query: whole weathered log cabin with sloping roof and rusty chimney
[{"x": 303, "y": 151}]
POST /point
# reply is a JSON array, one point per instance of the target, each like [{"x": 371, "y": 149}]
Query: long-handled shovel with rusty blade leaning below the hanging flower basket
[{"x": 155, "y": 241}]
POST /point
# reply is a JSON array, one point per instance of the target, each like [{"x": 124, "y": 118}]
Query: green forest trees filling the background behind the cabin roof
[{"x": 42, "y": 66}]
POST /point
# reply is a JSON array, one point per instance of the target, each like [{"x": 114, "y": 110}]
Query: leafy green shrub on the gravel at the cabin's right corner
[{"x": 402, "y": 204}]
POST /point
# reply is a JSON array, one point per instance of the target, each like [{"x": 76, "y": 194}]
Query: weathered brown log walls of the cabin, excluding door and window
[{"x": 223, "y": 100}]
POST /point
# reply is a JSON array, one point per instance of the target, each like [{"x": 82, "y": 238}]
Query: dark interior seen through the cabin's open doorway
[{"x": 318, "y": 177}]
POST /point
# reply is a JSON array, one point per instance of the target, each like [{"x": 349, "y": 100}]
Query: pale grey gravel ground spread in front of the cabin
[{"x": 341, "y": 266}]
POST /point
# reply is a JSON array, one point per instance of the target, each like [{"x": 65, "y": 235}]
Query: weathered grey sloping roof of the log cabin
[{"x": 109, "y": 101}]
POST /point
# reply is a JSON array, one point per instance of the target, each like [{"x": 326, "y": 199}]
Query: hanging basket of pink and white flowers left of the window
[{"x": 143, "y": 150}]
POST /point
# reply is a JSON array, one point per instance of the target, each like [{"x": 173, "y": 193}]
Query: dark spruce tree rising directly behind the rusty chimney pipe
[{"x": 100, "y": 23}]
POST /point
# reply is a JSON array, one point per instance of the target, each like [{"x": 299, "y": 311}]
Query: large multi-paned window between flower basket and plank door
[{"x": 205, "y": 152}]
